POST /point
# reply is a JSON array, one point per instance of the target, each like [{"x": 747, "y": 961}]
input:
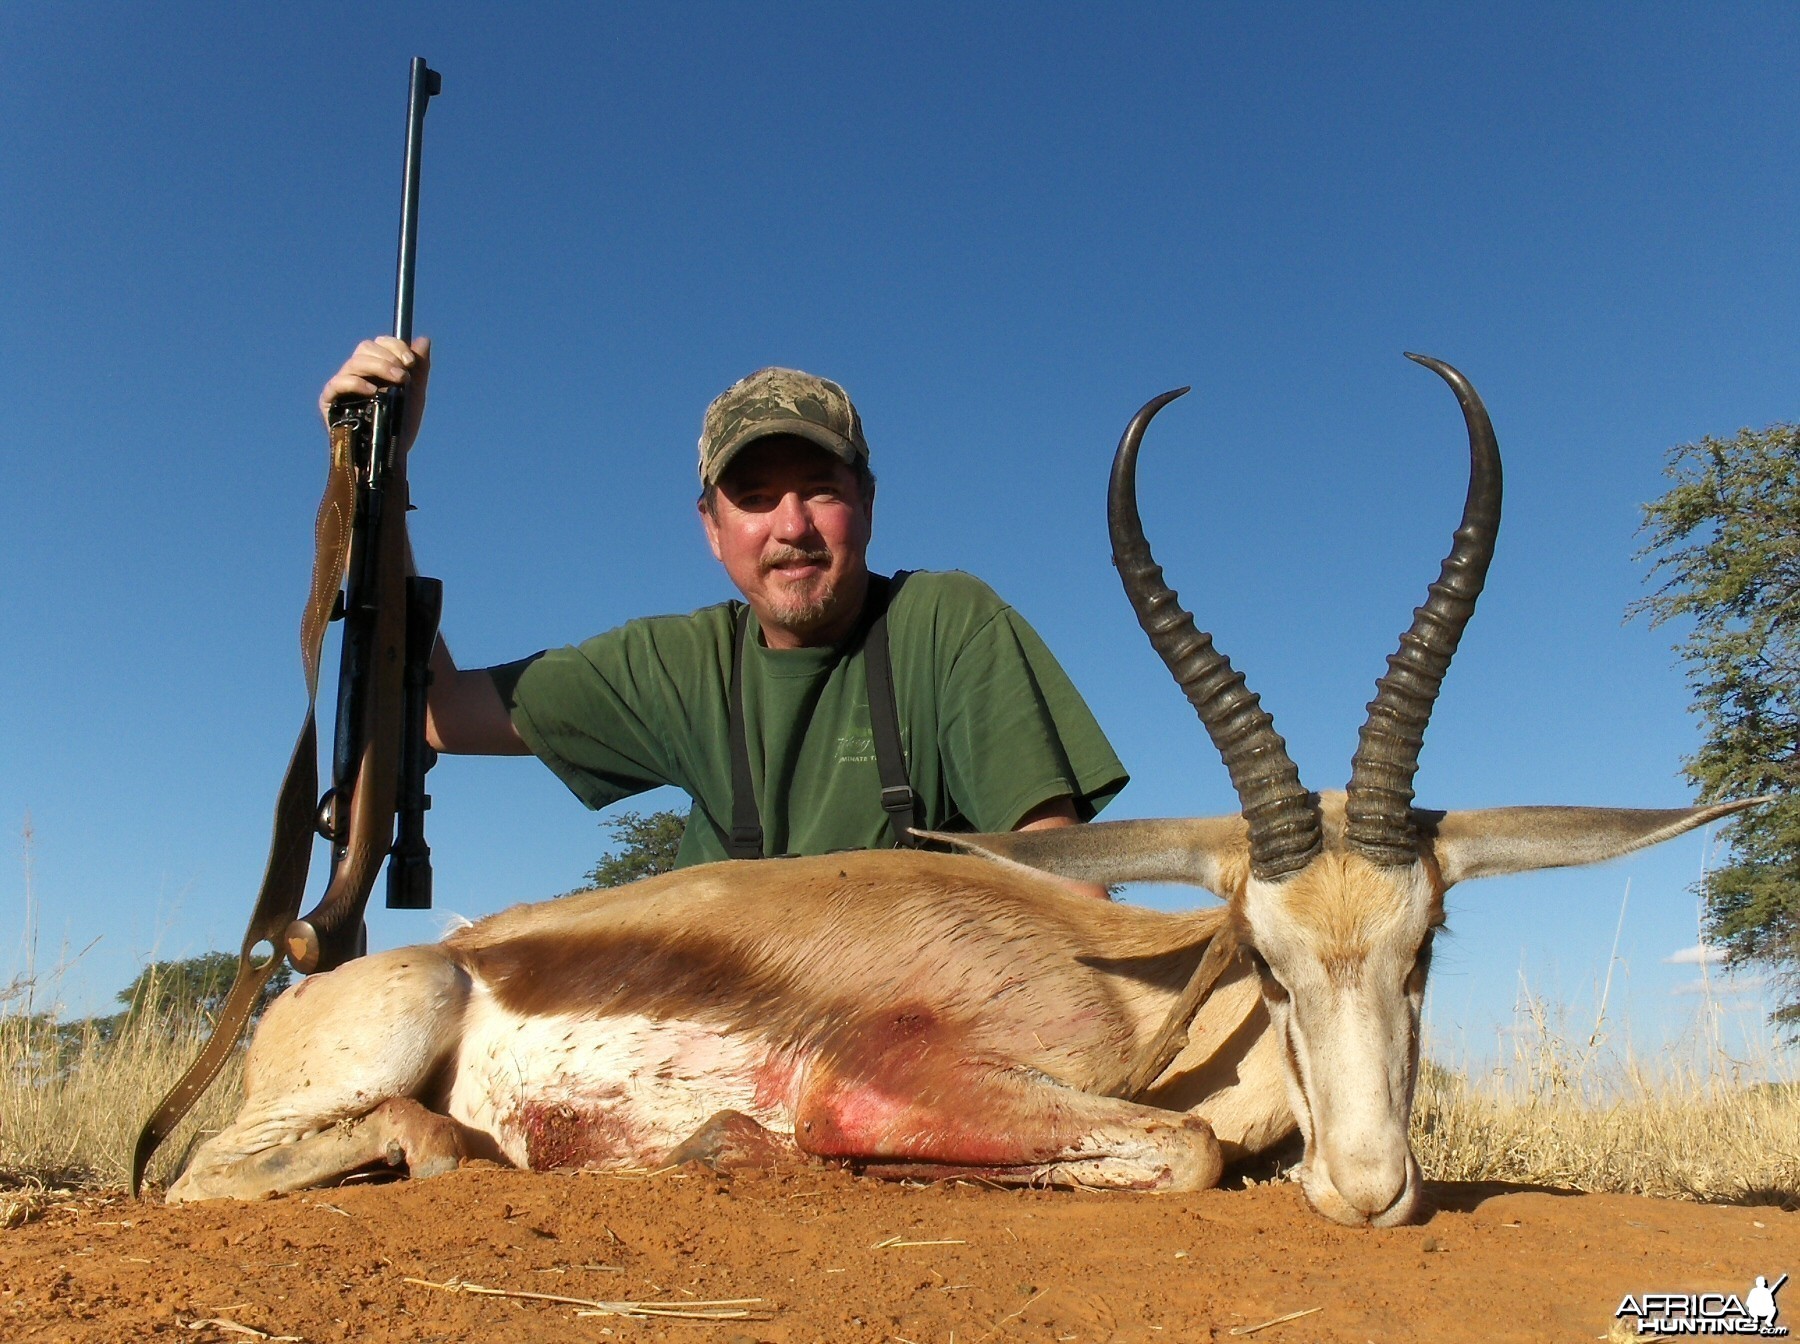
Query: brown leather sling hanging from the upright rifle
[{"x": 292, "y": 845}]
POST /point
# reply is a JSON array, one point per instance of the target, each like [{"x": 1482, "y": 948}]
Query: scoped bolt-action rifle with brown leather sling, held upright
[{"x": 381, "y": 755}]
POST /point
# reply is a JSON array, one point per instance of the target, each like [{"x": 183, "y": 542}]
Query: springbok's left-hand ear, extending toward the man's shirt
[{"x": 1207, "y": 852}]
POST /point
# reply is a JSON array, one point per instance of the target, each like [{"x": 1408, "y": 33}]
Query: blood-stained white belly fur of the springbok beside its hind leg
[{"x": 634, "y": 1086}]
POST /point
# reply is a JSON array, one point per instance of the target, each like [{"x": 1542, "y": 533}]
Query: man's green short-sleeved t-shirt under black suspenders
[{"x": 991, "y": 724}]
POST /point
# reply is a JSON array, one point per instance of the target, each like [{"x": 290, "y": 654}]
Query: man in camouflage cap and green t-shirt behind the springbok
[{"x": 993, "y": 733}]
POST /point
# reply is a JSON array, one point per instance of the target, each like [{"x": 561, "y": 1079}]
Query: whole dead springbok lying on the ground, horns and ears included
[{"x": 926, "y": 1016}]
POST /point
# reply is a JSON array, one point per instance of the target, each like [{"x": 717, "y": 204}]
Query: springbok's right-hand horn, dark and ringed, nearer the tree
[{"x": 1378, "y": 812}]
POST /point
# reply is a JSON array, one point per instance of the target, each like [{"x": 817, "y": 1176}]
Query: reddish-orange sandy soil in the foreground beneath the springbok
[{"x": 829, "y": 1257}]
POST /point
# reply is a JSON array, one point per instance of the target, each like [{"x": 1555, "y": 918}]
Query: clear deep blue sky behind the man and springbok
[{"x": 1003, "y": 229}]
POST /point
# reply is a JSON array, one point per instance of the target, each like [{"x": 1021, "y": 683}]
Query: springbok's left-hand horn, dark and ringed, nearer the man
[{"x": 1284, "y": 821}]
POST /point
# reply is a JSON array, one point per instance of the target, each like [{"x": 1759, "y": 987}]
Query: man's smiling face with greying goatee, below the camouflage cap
[{"x": 791, "y": 530}]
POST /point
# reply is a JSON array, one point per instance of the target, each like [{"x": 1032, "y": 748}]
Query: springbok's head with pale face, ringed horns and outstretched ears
[{"x": 1336, "y": 897}]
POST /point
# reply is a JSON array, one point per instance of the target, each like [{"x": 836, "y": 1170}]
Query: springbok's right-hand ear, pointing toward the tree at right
[{"x": 1498, "y": 841}]
